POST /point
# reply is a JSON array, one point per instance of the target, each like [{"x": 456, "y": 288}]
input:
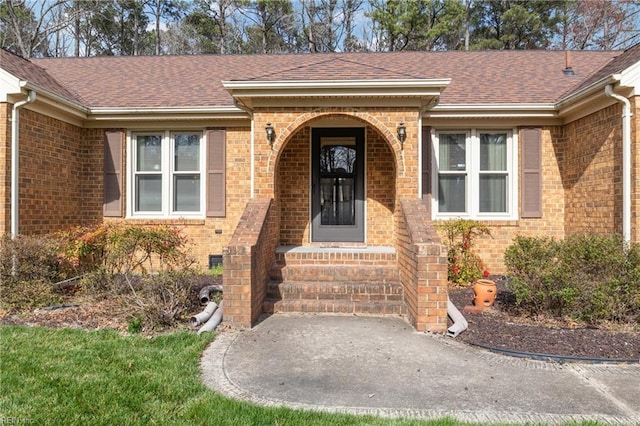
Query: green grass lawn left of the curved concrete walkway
[{"x": 74, "y": 377}]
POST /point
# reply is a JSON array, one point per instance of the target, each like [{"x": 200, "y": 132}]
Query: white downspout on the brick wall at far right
[{"x": 626, "y": 161}]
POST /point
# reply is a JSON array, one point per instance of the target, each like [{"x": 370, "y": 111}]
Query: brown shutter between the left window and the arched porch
[{"x": 216, "y": 141}]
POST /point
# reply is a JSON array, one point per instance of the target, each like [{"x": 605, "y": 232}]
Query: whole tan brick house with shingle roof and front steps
[{"x": 545, "y": 146}]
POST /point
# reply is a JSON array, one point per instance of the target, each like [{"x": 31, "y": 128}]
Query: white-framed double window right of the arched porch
[{"x": 475, "y": 174}]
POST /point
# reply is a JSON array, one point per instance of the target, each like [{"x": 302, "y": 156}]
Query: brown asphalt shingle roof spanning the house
[{"x": 478, "y": 77}]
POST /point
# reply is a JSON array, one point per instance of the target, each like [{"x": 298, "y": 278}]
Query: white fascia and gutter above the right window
[{"x": 492, "y": 111}]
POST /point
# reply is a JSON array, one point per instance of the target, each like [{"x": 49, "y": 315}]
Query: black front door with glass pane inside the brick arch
[{"x": 337, "y": 204}]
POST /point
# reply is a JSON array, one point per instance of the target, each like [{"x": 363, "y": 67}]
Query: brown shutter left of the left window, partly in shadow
[{"x": 112, "y": 203}]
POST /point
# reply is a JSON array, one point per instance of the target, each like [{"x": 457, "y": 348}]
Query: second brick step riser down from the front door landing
[{"x": 334, "y": 273}]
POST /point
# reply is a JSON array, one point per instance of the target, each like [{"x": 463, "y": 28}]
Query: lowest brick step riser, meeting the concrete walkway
[{"x": 335, "y": 307}]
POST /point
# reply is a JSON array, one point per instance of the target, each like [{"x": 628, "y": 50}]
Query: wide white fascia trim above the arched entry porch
[{"x": 324, "y": 88}]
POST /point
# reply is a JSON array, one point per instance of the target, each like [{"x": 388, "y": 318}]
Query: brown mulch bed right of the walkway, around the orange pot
[{"x": 504, "y": 328}]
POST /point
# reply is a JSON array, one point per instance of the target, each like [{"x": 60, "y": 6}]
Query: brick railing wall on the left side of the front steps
[{"x": 247, "y": 261}]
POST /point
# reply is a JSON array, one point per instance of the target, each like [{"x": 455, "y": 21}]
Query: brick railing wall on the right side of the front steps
[{"x": 422, "y": 260}]
